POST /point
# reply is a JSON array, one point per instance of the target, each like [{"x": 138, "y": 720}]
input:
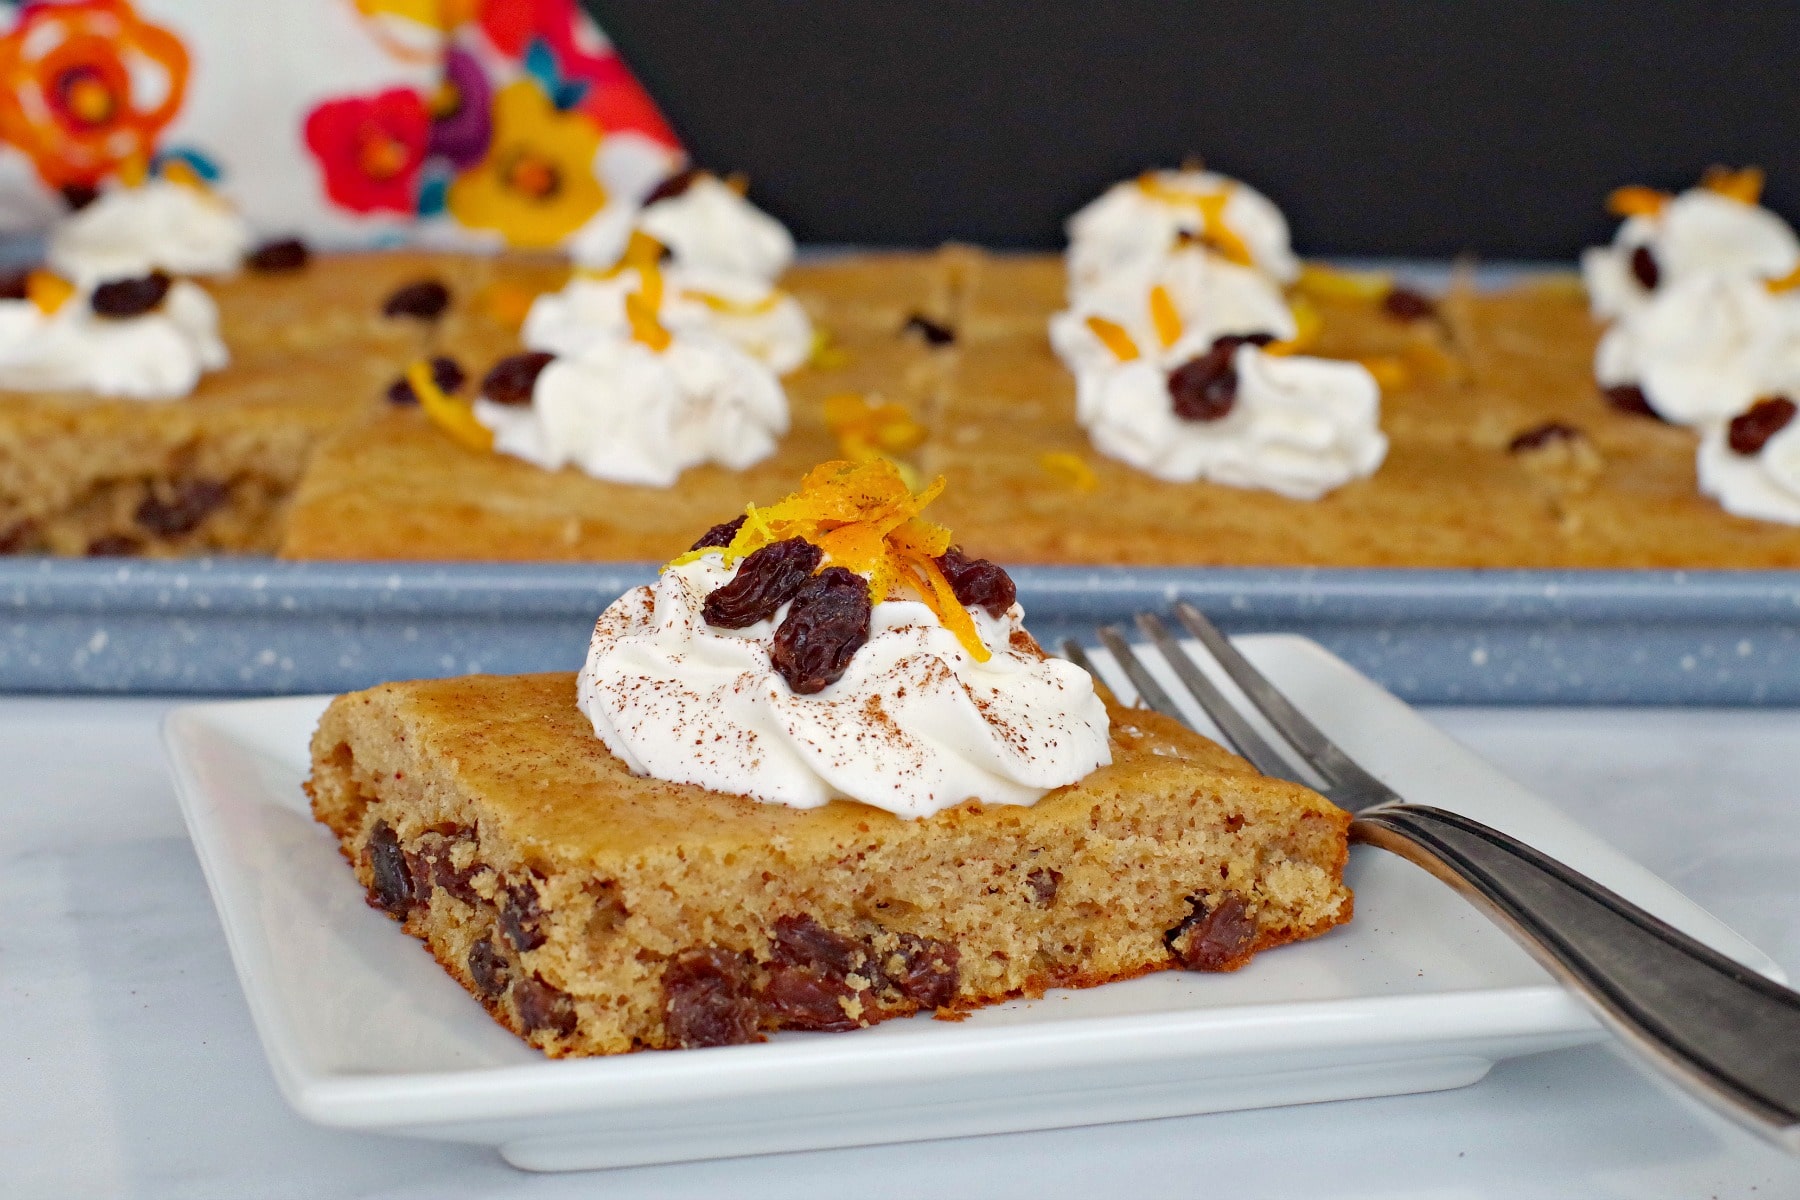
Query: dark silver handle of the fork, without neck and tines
[{"x": 1711, "y": 1025}]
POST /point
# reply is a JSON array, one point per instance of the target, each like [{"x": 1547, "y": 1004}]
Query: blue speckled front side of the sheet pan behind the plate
[{"x": 1432, "y": 636}]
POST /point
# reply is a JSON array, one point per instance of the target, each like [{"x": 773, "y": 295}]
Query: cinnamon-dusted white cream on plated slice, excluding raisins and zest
[{"x": 913, "y": 726}]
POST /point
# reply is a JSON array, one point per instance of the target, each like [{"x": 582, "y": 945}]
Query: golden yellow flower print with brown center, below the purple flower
[{"x": 537, "y": 184}]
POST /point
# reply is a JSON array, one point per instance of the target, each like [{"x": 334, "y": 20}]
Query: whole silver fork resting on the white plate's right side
[{"x": 1722, "y": 1032}]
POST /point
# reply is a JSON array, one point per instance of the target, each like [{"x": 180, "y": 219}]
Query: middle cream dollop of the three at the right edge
[{"x": 1705, "y": 348}]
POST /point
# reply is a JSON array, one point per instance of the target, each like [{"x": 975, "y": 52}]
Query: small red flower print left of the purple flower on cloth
[{"x": 370, "y": 148}]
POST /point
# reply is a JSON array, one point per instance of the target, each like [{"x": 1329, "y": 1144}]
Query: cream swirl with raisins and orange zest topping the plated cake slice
[{"x": 836, "y": 647}]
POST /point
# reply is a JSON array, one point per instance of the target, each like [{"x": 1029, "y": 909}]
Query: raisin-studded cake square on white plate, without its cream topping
[{"x": 595, "y": 911}]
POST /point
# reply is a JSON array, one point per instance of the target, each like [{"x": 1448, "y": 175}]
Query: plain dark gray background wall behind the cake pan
[{"x": 1381, "y": 129}]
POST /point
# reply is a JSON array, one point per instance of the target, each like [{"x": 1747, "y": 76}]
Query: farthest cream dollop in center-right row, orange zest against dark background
[{"x": 1133, "y": 226}]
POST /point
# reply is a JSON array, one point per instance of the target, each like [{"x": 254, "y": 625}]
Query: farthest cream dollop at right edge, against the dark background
[{"x": 1702, "y": 233}]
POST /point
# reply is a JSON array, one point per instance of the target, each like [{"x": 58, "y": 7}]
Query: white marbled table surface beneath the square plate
[{"x": 129, "y": 1066}]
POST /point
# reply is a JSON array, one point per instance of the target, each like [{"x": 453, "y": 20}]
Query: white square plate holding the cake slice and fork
[{"x": 366, "y": 1032}]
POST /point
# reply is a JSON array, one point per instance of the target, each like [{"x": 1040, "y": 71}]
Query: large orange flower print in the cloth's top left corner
[{"x": 87, "y": 87}]
